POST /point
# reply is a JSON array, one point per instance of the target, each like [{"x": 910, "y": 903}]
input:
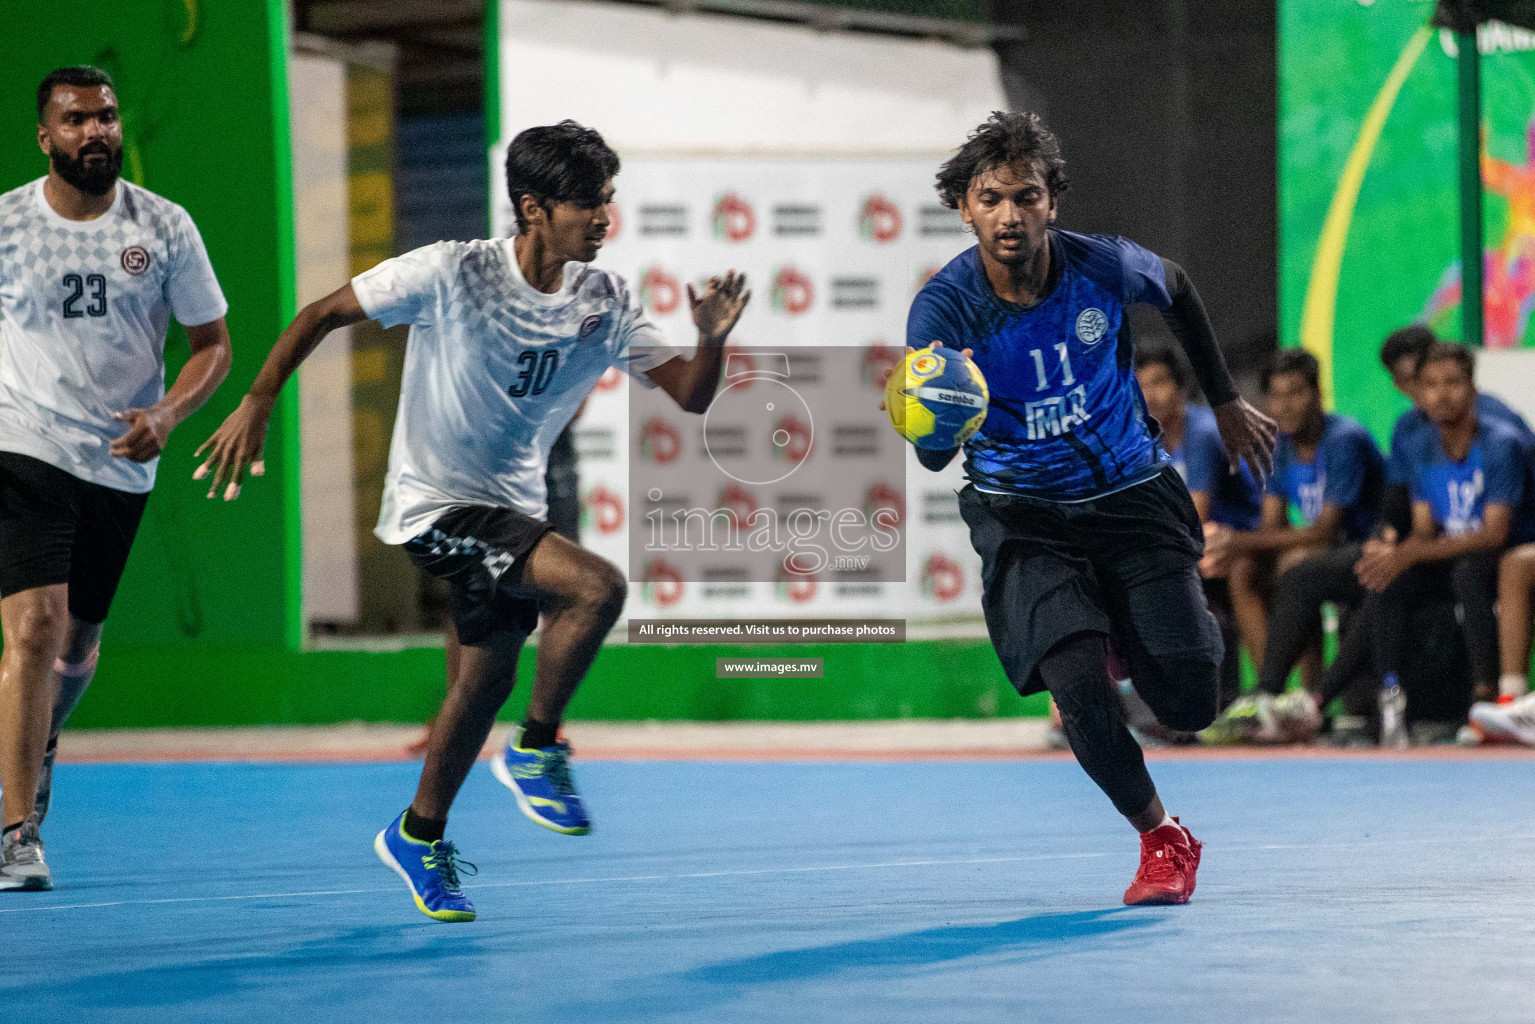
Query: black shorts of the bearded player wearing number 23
[{"x": 58, "y": 529}]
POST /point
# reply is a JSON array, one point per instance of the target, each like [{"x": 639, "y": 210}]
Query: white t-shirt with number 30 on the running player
[{"x": 494, "y": 372}]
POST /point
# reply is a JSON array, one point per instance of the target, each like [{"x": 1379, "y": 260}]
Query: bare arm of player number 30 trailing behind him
[{"x": 240, "y": 440}]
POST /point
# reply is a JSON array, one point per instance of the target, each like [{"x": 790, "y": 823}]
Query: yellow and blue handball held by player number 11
[{"x": 937, "y": 398}]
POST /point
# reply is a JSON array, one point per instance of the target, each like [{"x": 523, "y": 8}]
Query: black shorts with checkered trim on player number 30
[{"x": 480, "y": 552}]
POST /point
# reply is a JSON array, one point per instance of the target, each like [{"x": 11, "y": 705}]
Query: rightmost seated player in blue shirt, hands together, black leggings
[{"x": 1471, "y": 498}]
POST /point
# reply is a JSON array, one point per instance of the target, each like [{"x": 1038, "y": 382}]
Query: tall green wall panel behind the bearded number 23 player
[{"x": 205, "y": 113}]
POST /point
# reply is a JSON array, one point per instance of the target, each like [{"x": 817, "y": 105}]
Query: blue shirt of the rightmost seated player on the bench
[{"x": 1496, "y": 472}]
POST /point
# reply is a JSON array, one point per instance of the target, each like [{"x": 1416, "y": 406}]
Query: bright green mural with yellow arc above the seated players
[{"x": 1402, "y": 240}]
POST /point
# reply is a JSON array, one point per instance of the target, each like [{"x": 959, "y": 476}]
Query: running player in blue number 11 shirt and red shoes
[{"x": 1084, "y": 529}]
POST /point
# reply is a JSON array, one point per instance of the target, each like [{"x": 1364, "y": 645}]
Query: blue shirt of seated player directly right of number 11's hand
[{"x": 1347, "y": 471}]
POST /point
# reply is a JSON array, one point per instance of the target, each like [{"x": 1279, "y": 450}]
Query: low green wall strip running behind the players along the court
[{"x": 259, "y": 685}]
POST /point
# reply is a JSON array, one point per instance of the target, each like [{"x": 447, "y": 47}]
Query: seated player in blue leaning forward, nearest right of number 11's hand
[{"x": 1329, "y": 474}]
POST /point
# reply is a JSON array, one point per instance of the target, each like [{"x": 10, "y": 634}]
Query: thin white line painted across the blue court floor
[{"x": 758, "y": 871}]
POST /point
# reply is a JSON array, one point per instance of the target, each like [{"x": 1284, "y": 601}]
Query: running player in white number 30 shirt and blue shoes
[{"x": 507, "y": 340}]
